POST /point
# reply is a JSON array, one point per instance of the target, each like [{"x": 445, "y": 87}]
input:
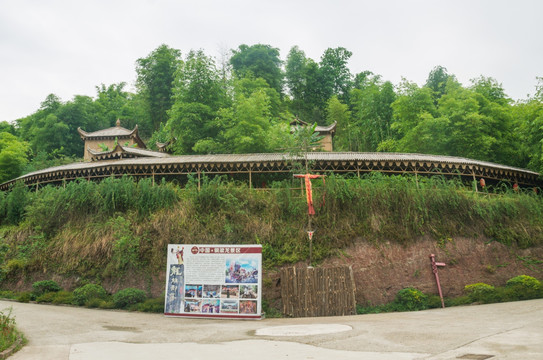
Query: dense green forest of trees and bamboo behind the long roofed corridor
[{"x": 243, "y": 104}]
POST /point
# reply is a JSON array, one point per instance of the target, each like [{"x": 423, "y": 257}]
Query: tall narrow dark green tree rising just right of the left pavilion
[{"x": 156, "y": 74}]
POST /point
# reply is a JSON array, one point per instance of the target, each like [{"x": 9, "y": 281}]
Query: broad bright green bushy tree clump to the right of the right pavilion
[{"x": 472, "y": 122}]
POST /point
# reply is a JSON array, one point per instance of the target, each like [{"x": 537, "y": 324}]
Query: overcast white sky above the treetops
[{"x": 68, "y": 47}]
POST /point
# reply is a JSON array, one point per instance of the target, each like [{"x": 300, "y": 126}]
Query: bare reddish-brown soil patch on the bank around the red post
[{"x": 381, "y": 271}]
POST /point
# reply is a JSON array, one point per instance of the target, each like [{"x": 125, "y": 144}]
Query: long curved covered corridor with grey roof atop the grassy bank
[{"x": 249, "y": 166}]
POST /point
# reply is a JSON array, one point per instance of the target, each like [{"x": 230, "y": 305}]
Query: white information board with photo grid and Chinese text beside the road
[{"x": 214, "y": 281}]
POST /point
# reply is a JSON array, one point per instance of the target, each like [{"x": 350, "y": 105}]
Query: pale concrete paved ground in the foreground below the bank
[{"x": 498, "y": 331}]
